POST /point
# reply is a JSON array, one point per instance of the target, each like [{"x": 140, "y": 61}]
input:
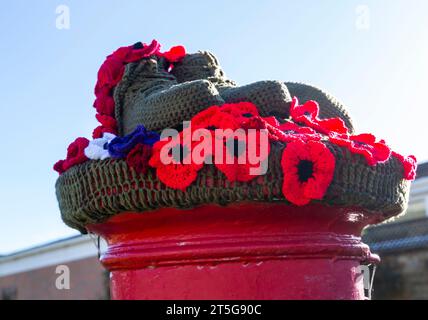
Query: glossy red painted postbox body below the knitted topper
[{"x": 243, "y": 251}]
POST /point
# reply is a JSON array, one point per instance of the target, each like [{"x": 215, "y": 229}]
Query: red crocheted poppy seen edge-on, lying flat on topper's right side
[{"x": 365, "y": 144}]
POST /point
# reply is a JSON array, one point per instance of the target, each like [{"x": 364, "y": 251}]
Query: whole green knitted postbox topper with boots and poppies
[{"x": 307, "y": 151}]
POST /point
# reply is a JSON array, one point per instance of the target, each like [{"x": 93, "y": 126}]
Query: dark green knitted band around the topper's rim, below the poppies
[{"x": 96, "y": 190}]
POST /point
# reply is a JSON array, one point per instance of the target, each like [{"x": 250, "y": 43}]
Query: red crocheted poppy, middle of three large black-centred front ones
[{"x": 242, "y": 157}]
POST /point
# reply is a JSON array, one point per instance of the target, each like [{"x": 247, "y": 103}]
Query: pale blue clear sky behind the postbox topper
[{"x": 47, "y": 75}]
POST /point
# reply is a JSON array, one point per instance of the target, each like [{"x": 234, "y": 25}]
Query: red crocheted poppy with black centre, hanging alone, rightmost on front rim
[{"x": 308, "y": 169}]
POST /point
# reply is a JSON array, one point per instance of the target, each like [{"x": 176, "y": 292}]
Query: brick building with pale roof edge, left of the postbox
[{"x": 37, "y": 273}]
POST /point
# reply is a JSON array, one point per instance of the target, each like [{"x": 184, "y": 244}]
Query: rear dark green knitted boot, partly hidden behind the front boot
[{"x": 271, "y": 97}]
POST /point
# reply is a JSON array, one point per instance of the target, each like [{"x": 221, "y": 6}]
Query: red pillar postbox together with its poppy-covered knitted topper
[{"x": 214, "y": 229}]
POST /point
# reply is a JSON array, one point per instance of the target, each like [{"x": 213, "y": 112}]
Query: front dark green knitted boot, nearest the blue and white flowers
[{"x": 149, "y": 95}]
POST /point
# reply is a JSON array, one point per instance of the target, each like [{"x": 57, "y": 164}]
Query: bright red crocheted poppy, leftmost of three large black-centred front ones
[{"x": 184, "y": 171}]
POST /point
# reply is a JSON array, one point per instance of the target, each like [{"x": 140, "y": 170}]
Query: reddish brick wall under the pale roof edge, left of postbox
[{"x": 88, "y": 280}]
